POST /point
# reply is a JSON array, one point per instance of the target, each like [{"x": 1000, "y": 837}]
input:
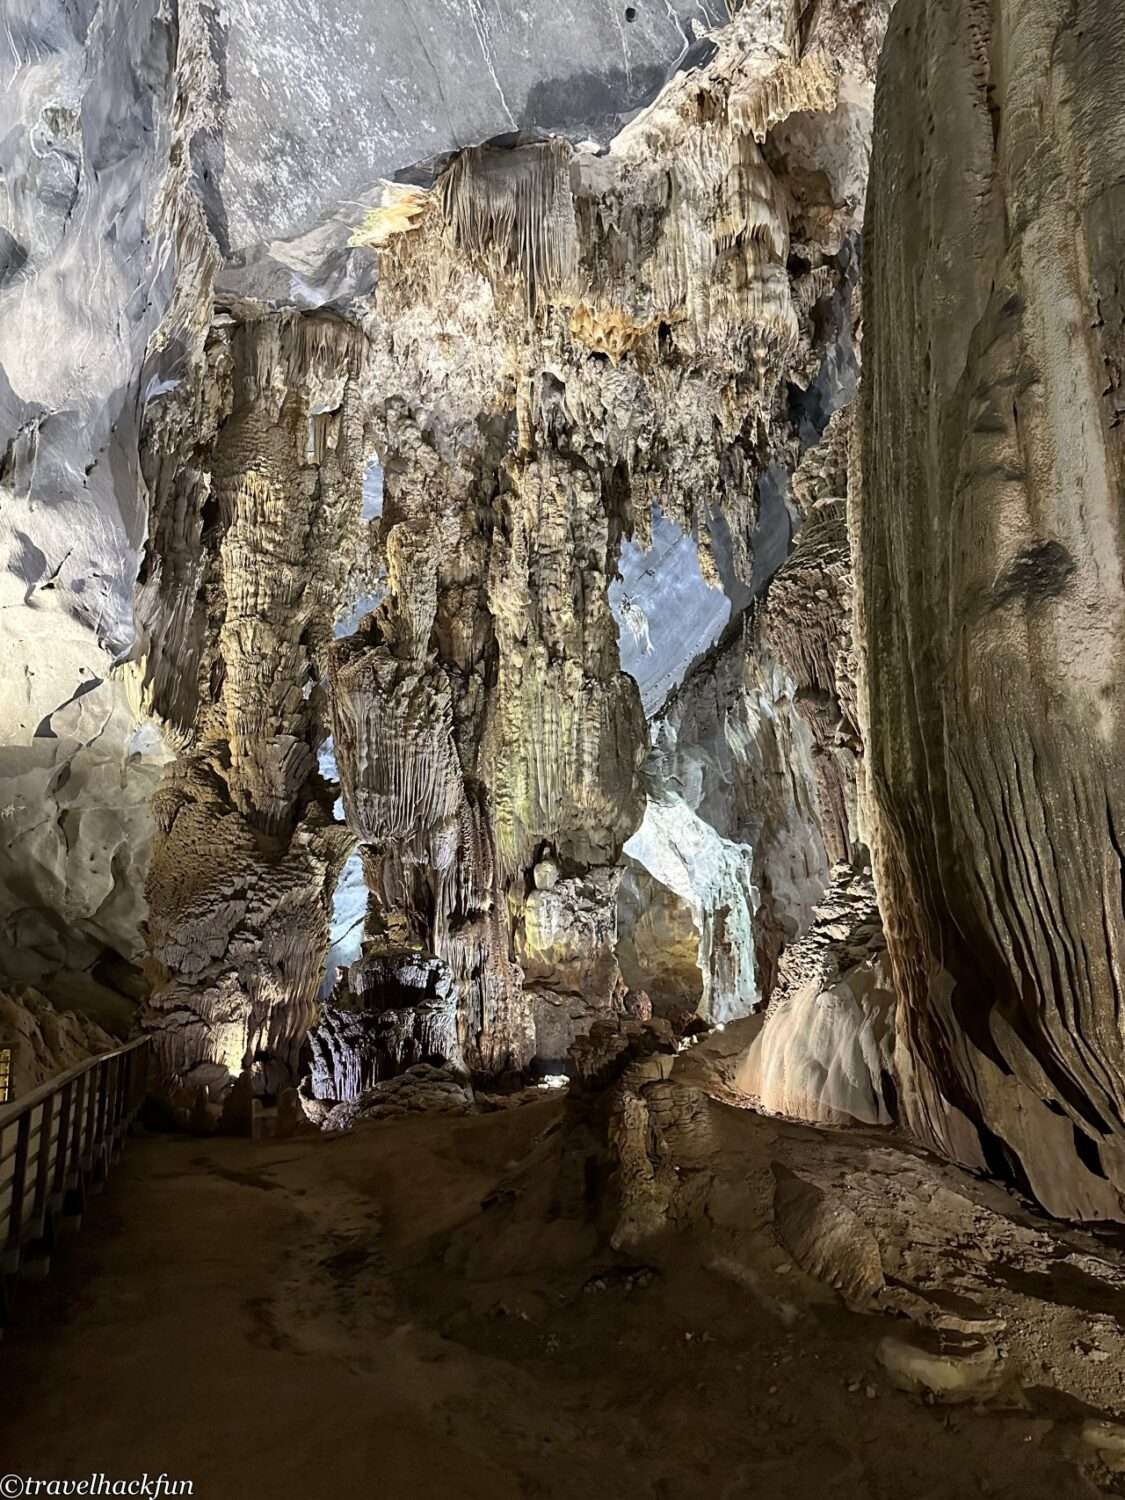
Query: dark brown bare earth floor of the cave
[{"x": 272, "y": 1319}]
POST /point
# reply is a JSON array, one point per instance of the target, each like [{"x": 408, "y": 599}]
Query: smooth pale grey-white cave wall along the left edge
[{"x": 106, "y": 274}]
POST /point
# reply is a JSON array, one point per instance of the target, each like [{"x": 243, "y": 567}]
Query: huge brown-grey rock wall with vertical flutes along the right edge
[{"x": 991, "y": 605}]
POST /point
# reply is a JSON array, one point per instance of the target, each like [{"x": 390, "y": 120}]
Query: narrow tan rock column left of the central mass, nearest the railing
[{"x": 247, "y": 856}]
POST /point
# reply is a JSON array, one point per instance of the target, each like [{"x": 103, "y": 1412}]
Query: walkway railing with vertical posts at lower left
[{"x": 58, "y": 1141}]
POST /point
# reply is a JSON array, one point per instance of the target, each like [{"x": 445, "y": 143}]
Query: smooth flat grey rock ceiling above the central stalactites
[{"x": 322, "y": 104}]
